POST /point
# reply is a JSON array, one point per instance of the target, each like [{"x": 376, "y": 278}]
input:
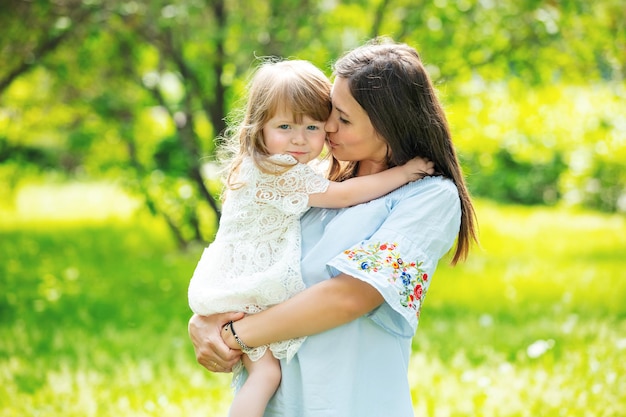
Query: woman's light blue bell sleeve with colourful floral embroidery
[{"x": 401, "y": 256}]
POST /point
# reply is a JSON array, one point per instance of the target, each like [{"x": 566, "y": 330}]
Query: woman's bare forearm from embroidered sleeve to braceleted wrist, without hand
[{"x": 321, "y": 307}]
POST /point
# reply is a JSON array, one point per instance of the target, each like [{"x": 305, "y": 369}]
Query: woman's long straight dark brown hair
[{"x": 391, "y": 84}]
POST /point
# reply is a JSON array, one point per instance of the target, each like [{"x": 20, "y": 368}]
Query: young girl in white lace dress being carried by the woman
[{"x": 254, "y": 261}]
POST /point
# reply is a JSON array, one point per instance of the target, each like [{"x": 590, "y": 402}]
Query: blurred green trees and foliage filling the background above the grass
[{"x": 136, "y": 92}]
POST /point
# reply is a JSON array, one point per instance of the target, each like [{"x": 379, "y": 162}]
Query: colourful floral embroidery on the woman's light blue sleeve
[{"x": 408, "y": 276}]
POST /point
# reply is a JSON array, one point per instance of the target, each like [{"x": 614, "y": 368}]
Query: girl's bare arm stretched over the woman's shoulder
[{"x": 369, "y": 187}]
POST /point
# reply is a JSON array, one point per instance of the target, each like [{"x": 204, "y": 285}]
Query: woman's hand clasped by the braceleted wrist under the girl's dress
[{"x": 211, "y": 351}]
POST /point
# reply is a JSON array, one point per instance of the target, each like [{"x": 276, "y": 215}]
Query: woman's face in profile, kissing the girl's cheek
[{"x": 351, "y": 135}]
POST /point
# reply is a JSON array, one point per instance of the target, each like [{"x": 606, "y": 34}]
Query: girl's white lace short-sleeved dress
[{"x": 254, "y": 261}]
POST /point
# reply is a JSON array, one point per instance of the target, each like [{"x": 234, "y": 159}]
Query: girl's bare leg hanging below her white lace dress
[{"x": 263, "y": 380}]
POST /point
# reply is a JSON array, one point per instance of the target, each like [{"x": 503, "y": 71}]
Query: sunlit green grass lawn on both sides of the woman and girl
[{"x": 93, "y": 316}]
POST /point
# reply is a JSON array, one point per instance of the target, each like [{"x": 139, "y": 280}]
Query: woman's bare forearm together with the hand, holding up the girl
[{"x": 323, "y": 306}]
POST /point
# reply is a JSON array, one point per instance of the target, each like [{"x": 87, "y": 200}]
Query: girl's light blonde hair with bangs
[{"x": 295, "y": 86}]
